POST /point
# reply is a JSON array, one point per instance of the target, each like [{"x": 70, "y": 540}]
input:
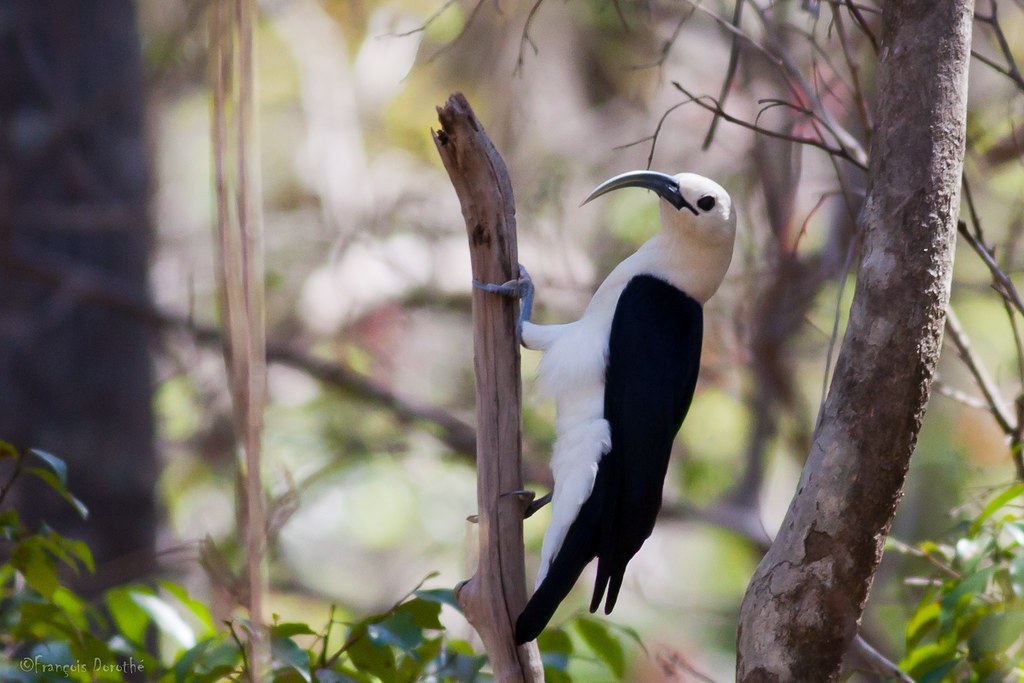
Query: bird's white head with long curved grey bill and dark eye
[{"x": 699, "y": 226}]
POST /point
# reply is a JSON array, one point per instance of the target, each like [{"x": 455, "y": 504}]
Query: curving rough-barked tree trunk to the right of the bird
[{"x": 802, "y": 609}]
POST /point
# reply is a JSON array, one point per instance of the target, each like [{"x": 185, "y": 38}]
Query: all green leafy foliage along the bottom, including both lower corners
[{"x": 967, "y": 627}]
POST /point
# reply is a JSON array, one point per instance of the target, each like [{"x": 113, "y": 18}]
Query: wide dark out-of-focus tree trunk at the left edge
[{"x": 75, "y": 380}]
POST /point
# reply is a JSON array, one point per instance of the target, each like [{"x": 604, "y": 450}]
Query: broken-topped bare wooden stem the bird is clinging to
[{"x": 497, "y": 593}]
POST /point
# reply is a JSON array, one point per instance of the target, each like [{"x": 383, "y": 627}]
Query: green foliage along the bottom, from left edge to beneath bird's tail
[{"x": 160, "y": 633}]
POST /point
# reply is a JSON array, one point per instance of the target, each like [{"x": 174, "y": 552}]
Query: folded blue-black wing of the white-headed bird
[{"x": 654, "y": 359}]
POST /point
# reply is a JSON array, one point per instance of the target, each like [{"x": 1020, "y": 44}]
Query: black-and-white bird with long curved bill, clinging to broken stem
[{"x": 623, "y": 378}]
